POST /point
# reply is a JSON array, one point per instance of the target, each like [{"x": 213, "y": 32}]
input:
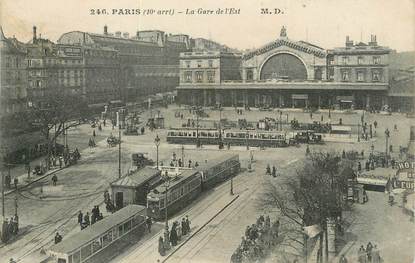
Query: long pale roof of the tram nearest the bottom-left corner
[{"x": 80, "y": 239}]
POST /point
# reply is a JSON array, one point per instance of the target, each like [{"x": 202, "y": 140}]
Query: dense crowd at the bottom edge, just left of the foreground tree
[{"x": 258, "y": 240}]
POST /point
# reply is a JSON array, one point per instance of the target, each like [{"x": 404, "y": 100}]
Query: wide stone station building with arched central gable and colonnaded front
[{"x": 287, "y": 73}]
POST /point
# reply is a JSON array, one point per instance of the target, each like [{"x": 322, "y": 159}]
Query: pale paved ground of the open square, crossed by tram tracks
[{"x": 80, "y": 187}]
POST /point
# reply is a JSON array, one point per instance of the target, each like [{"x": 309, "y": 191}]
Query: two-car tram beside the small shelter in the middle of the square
[{"x": 182, "y": 189}]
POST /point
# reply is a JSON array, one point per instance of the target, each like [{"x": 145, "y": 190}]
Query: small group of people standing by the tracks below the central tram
[{"x": 172, "y": 237}]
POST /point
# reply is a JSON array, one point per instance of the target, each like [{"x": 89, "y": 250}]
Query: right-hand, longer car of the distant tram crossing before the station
[{"x": 255, "y": 138}]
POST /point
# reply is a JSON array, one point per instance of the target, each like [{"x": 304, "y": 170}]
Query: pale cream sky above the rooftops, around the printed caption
[{"x": 325, "y": 23}]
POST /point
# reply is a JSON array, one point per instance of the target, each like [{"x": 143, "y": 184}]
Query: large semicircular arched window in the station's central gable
[{"x": 284, "y": 66}]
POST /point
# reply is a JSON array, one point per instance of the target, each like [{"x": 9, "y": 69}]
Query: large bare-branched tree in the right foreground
[{"x": 310, "y": 197}]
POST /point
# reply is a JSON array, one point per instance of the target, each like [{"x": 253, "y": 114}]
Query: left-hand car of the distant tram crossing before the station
[{"x": 191, "y": 135}]
